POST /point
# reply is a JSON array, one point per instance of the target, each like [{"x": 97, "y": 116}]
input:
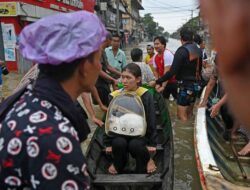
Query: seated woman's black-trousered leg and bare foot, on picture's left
[{"x": 120, "y": 155}]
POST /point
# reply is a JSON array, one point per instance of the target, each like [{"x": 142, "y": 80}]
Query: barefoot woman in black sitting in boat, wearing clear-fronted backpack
[{"x": 130, "y": 124}]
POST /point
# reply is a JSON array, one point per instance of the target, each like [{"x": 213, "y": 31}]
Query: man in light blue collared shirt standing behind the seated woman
[{"x": 116, "y": 57}]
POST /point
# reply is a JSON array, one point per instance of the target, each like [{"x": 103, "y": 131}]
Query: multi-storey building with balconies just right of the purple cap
[{"x": 122, "y": 16}]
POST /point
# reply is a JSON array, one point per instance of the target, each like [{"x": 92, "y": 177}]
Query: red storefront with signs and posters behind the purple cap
[{"x": 14, "y": 15}]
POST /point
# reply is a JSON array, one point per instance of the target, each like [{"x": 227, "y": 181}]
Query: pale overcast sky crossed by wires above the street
[{"x": 170, "y": 14}]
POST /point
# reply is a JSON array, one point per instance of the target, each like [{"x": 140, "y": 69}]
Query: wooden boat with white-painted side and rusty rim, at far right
[{"x": 218, "y": 164}]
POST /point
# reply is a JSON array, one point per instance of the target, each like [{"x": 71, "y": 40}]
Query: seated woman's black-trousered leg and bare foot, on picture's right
[{"x": 138, "y": 150}]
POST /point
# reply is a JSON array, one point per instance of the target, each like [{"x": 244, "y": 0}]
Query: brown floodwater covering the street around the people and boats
[{"x": 186, "y": 175}]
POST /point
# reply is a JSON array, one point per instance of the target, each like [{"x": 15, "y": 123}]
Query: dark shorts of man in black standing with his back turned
[{"x": 186, "y": 95}]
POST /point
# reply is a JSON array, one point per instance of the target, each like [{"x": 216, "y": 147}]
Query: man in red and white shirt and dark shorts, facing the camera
[{"x": 162, "y": 62}]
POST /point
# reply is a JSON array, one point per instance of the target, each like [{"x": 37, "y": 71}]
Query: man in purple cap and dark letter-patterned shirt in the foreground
[{"x": 41, "y": 128}]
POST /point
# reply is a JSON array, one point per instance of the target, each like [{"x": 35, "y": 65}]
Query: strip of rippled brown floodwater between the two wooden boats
[{"x": 186, "y": 176}]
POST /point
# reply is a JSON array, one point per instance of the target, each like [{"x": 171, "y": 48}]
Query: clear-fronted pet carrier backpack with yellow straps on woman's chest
[{"x": 126, "y": 114}]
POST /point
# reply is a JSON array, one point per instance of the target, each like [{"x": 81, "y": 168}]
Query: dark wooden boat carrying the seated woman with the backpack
[{"x": 98, "y": 161}]
